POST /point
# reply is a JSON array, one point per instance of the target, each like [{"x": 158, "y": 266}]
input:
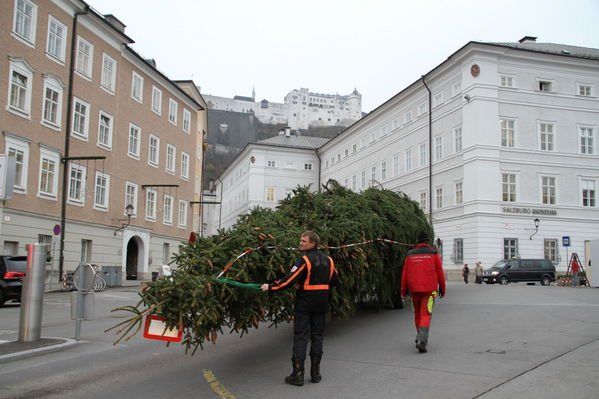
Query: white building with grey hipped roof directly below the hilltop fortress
[{"x": 261, "y": 175}]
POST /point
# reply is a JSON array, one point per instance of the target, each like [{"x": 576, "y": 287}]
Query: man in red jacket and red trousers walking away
[{"x": 422, "y": 276}]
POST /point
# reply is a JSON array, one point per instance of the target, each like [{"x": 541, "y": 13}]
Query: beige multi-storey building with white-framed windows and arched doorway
[{"x": 114, "y": 104}]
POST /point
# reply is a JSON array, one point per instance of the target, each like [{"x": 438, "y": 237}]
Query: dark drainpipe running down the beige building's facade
[{"x": 67, "y": 140}]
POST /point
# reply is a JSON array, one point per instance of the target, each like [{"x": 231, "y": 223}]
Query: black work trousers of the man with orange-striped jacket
[{"x": 307, "y": 325}]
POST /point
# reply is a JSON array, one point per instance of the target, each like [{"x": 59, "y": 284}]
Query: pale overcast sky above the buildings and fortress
[{"x": 332, "y": 46}]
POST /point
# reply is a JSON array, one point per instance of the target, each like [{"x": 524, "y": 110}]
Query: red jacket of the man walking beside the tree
[{"x": 423, "y": 271}]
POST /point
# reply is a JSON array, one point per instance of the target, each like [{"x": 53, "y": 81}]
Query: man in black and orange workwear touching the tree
[{"x": 314, "y": 274}]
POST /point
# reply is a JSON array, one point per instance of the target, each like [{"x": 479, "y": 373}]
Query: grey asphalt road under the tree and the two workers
[{"x": 486, "y": 341}]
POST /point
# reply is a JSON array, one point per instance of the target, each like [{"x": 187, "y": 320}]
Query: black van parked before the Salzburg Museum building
[{"x": 515, "y": 270}]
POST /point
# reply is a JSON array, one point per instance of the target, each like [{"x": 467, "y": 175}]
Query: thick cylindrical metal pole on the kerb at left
[{"x": 32, "y": 297}]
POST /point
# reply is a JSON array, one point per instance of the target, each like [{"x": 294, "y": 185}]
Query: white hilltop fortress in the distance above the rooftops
[{"x": 301, "y": 109}]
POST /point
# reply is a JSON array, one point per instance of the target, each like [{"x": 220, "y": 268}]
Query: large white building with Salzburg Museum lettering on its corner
[{"x": 514, "y": 138}]
